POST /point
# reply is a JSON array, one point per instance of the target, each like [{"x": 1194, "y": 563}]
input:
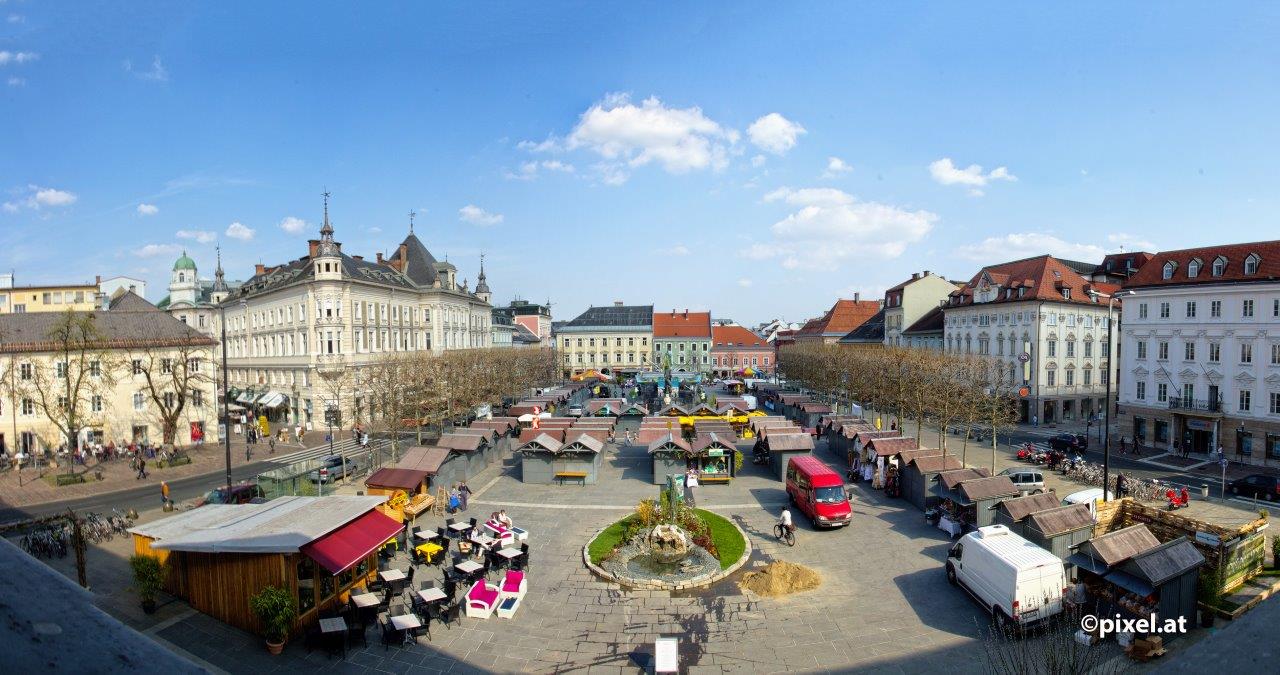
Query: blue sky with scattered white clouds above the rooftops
[{"x": 648, "y": 153}]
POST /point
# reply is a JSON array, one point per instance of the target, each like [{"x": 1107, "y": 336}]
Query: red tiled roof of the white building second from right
[{"x": 1044, "y": 279}]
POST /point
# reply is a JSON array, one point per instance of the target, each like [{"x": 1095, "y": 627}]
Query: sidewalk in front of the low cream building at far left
[{"x": 26, "y": 487}]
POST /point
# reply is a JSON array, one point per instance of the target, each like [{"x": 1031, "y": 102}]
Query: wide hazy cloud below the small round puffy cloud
[{"x": 830, "y": 226}]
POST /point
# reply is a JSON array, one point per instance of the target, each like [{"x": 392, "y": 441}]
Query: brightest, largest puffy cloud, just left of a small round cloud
[{"x": 629, "y": 136}]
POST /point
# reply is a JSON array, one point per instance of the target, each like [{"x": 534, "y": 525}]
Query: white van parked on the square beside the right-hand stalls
[{"x": 1017, "y": 581}]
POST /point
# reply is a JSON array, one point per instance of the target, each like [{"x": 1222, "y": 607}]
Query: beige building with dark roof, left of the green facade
[{"x": 606, "y": 340}]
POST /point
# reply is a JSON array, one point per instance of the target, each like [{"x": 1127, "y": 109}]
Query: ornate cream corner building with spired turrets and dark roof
[{"x": 301, "y": 334}]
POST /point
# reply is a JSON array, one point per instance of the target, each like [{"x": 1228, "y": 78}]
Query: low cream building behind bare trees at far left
[{"x": 138, "y": 370}]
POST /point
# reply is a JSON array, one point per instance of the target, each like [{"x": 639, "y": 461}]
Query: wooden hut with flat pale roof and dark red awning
[{"x": 319, "y": 549}]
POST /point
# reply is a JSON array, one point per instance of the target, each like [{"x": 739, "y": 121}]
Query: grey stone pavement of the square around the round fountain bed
[{"x": 884, "y": 605}]
